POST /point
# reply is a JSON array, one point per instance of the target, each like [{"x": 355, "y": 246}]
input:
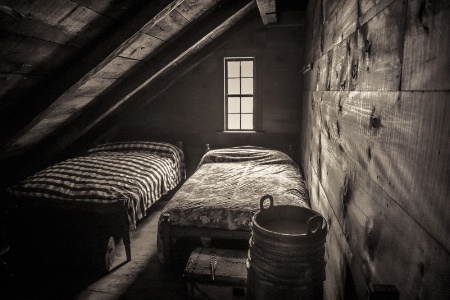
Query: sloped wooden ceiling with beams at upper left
[{"x": 67, "y": 64}]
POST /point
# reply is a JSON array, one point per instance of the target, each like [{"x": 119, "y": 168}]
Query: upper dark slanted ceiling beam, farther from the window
[{"x": 95, "y": 57}]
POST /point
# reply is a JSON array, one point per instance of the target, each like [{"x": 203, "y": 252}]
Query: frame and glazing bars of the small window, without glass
[{"x": 240, "y": 95}]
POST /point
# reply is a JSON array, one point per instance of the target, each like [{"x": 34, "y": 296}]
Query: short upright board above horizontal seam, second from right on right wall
[{"x": 379, "y": 50}]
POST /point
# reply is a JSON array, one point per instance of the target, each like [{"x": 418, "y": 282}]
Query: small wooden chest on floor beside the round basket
[{"x": 216, "y": 274}]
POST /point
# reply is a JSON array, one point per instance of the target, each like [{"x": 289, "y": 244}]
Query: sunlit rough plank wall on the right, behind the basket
[{"x": 375, "y": 143}]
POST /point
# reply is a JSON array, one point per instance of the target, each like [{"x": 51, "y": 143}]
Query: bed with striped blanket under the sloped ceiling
[{"x": 122, "y": 179}]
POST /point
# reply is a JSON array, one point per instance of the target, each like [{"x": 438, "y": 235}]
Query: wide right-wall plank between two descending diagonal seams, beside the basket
[{"x": 379, "y": 230}]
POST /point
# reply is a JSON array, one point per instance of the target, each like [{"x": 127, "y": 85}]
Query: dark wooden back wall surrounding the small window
[{"x": 191, "y": 109}]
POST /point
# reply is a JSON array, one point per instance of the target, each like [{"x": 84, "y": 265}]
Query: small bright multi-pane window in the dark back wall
[{"x": 239, "y": 94}]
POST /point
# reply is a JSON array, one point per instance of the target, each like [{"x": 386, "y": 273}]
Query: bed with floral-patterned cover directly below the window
[{"x": 220, "y": 198}]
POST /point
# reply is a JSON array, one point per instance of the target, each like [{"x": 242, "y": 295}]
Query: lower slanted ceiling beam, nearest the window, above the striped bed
[{"x": 150, "y": 80}]
